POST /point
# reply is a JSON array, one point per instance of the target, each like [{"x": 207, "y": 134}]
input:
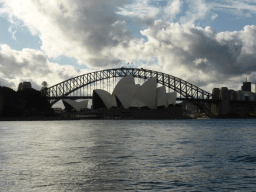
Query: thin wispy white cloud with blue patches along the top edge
[{"x": 145, "y": 13}]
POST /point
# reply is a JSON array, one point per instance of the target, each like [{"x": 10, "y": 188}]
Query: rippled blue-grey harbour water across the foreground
[{"x": 136, "y": 155}]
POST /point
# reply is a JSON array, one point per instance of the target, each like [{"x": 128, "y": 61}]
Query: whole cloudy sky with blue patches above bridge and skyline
[{"x": 210, "y": 43}]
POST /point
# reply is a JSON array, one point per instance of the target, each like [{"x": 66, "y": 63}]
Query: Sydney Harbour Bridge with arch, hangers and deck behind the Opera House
[{"x": 81, "y": 87}]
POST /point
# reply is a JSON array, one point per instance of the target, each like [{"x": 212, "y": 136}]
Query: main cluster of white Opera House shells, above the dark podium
[{"x": 127, "y": 95}]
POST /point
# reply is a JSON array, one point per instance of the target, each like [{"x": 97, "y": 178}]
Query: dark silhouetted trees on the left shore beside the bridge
[{"x": 23, "y": 103}]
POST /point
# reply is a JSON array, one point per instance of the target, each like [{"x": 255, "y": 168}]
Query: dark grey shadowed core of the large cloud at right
[{"x": 221, "y": 57}]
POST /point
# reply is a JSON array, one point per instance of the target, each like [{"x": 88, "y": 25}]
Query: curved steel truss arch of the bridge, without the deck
[{"x": 187, "y": 90}]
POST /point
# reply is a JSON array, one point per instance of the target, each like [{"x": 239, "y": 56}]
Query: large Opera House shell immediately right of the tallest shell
[{"x": 147, "y": 93}]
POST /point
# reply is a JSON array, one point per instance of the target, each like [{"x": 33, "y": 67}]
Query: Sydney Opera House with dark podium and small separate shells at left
[{"x": 132, "y": 101}]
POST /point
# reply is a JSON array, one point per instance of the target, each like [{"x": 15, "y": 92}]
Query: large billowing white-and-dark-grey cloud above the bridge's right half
[{"x": 199, "y": 55}]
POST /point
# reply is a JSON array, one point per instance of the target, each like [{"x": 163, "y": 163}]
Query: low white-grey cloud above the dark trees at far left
[{"x": 32, "y": 65}]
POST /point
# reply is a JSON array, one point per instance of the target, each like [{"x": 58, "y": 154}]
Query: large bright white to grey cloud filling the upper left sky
[{"x": 80, "y": 29}]
